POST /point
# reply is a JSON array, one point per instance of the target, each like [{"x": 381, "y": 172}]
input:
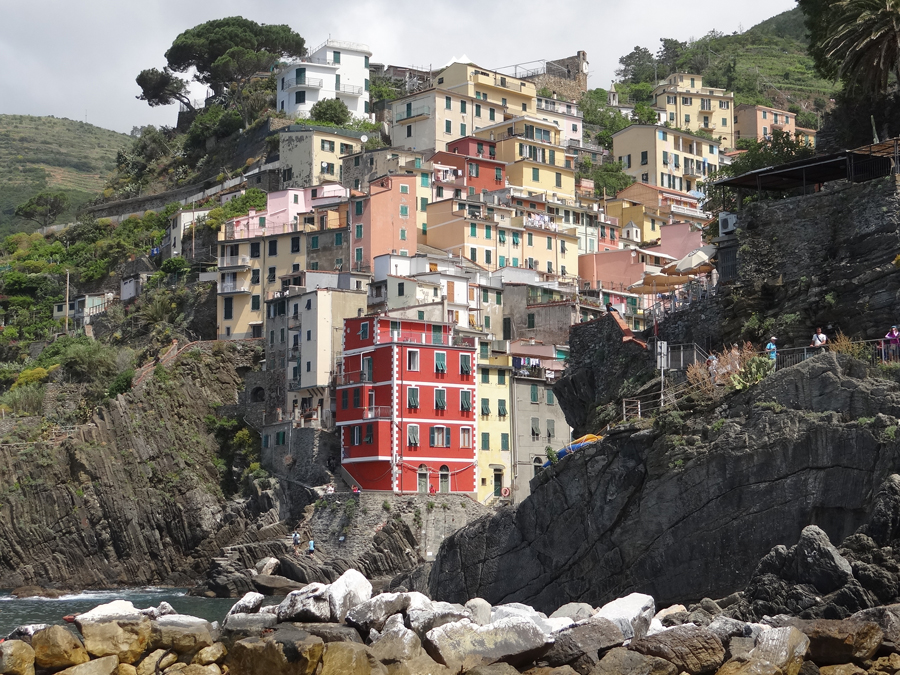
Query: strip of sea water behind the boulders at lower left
[{"x": 19, "y": 611}]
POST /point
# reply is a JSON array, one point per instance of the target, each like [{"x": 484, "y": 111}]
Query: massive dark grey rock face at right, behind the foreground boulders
[{"x": 664, "y": 510}]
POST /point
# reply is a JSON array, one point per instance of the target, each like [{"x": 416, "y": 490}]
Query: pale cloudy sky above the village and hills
[{"x": 78, "y": 58}]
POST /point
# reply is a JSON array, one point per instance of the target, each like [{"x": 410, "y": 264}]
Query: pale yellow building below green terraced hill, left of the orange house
[{"x": 689, "y": 105}]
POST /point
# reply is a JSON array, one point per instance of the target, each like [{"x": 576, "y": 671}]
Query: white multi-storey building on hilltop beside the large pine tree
[{"x": 334, "y": 69}]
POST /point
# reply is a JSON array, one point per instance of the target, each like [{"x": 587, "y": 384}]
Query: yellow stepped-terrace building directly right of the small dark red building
[{"x": 535, "y": 159}]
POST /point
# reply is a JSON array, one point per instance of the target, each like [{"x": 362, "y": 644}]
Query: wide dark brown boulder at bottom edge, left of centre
[{"x": 288, "y": 651}]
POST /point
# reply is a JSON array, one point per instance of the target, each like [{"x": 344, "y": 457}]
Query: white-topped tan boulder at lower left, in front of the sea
[{"x": 116, "y": 628}]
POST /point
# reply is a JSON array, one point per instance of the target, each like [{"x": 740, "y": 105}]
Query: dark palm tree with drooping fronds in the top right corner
[{"x": 857, "y": 41}]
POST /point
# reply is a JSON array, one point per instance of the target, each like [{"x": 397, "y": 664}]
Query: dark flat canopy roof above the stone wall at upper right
[{"x": 858, "y": 165}]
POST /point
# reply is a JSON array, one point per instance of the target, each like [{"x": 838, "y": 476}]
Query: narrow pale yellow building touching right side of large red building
[{"x": 494, "y": 423}]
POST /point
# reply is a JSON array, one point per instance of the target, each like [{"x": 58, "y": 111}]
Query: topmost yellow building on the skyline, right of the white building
[{"x": 516, "y": 95}]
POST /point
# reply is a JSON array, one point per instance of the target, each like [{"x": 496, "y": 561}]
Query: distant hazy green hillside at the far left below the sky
[{"x": 40, "y": 153}]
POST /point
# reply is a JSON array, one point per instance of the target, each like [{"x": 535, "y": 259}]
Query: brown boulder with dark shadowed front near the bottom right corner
[{"x": 833, "y": 642}]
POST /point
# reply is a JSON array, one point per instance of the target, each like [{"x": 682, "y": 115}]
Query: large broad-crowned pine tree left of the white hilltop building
[{"x": 202, "y": 46}]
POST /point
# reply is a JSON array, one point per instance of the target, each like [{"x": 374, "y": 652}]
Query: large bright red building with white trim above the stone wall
[{"x": 406, "y": 405}]
